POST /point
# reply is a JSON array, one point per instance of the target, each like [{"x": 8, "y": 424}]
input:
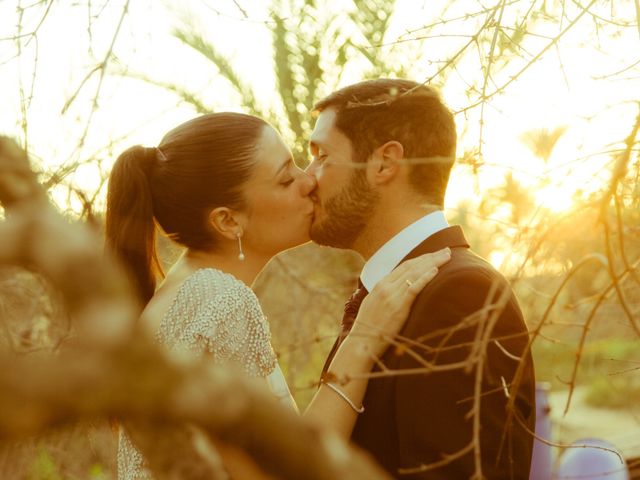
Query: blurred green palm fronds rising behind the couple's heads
[{"x": 310, "y": 52}]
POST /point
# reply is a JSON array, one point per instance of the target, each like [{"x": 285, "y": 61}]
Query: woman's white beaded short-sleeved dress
[{"x": 217, "y": 314}]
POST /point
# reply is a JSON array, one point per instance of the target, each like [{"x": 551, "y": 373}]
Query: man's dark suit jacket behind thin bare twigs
[{"x": 417, "y": 419}]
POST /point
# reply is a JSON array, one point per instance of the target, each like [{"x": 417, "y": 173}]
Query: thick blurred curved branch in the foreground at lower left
[{"x": 112, "y": 369}]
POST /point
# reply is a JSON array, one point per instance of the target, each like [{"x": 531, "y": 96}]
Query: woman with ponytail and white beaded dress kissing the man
[{"x": 225, "y": 187}]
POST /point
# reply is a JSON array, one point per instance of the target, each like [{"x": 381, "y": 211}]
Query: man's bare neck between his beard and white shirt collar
[{"x": 385, "y": 224}]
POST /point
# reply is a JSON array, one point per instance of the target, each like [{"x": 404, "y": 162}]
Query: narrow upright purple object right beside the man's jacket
[{"x": 542, "y": 458}]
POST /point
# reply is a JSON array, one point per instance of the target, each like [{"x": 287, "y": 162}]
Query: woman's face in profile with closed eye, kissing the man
[{"x": 279, "y": 210}]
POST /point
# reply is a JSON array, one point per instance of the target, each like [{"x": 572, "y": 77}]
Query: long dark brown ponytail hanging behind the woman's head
[{"x": 130, "y": 225}]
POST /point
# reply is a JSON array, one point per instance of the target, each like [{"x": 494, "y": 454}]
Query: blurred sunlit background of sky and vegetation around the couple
[{"x": 546, "y": 95}]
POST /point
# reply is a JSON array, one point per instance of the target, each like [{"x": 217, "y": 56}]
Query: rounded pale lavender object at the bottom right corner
[{"x": 591, "y": 463}]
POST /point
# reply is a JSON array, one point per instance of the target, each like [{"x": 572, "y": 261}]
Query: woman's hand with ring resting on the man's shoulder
[{"x": 384, "y": 311}]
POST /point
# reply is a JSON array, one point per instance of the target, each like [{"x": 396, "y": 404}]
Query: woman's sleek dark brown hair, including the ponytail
[{"x": 200, "y": 165}]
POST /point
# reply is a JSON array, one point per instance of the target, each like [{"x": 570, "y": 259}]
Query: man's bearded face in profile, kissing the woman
[{"x": 343, "y": 198}]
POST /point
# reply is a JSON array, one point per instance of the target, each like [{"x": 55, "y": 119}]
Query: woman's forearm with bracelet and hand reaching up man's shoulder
[{"x": 382, "y": 314}]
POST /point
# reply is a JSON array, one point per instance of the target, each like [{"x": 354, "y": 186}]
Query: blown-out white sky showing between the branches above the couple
[{"x": 567, "y": 88}]
